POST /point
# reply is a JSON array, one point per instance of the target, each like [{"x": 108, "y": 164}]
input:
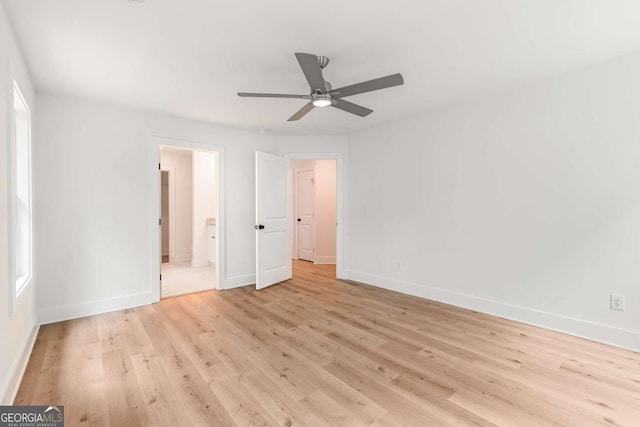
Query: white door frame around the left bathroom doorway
[{"x": 155, "y": 250}]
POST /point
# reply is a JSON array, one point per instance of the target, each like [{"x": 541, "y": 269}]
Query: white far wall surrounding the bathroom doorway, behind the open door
[{"x": 93, "y": 198}]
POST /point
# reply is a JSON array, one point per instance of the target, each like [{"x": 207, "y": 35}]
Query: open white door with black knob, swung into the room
[{"x": 273, "y": 219}]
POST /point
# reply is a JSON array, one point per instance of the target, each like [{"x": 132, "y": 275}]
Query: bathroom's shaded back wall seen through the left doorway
[{"x": 179, "y": 163}]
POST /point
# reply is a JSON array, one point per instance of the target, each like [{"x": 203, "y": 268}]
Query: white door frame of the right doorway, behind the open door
[{"x": 340, "y": 198}]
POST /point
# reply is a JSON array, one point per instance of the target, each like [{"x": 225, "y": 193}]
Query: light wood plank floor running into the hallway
[{"x": 316, "y": 351}]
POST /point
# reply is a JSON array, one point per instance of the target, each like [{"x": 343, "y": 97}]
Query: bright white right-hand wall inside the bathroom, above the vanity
[{"x": 204, "y": 204}]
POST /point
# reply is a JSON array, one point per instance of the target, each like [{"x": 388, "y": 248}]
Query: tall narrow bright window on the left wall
[{"x": 21, "y": 180}]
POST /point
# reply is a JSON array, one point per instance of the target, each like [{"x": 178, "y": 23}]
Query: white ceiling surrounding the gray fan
[{"x": 190, "y": 57}]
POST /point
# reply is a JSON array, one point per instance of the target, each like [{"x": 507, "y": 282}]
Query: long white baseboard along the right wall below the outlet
[{"x": 619, "y": 337}]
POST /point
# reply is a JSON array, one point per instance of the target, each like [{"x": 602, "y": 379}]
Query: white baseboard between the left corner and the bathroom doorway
[{"x": 89, "y": 308}]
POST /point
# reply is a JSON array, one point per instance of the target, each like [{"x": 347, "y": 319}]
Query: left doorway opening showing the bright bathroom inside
[{"x": 188, "y": 220}]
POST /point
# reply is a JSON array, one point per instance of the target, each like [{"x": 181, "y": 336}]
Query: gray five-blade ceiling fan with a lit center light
[{"x": 323, "y": 95}]
